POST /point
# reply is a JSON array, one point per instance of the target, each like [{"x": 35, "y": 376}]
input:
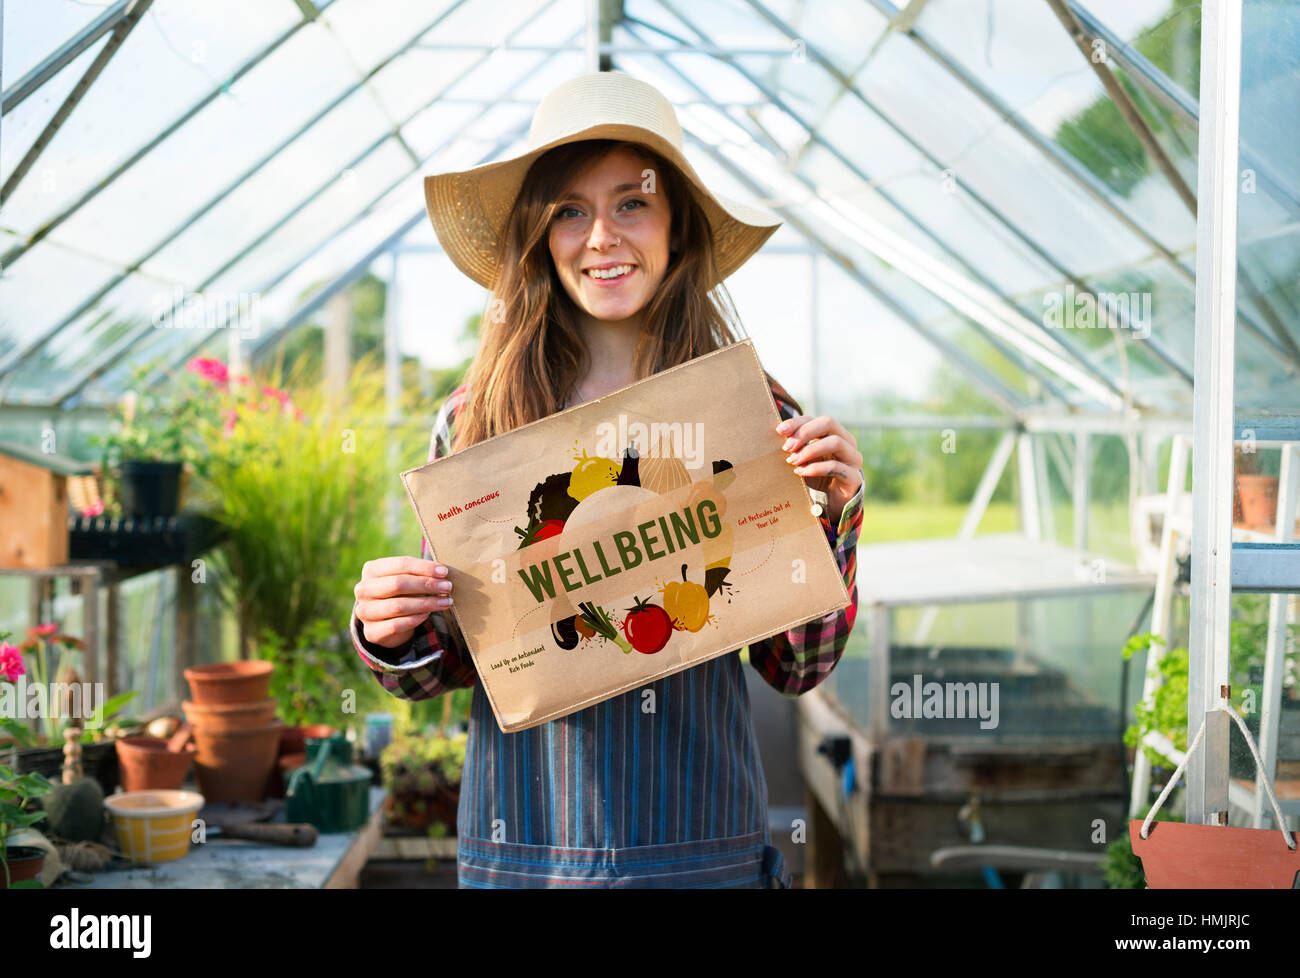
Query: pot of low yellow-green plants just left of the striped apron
[{"x": 423, "y": 780}]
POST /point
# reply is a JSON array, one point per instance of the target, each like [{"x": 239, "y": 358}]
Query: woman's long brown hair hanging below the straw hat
[{"x": 531, "y": 354}]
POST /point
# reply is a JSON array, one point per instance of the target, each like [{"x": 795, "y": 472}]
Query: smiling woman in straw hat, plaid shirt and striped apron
[{"x": 605, "y": 256}]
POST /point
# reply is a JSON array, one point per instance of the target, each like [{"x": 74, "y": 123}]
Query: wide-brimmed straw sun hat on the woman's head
[{"x": 469, "y": 209}]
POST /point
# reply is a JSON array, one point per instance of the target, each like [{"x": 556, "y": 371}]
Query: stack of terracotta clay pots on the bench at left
[{"x": 236, "y": 730}]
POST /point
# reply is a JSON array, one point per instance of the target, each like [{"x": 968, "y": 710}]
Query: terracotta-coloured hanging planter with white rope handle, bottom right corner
[{"x": 1180, "y": 856}]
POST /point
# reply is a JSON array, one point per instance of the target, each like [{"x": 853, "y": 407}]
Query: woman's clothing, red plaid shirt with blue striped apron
[{"x": 616, "y": 795}]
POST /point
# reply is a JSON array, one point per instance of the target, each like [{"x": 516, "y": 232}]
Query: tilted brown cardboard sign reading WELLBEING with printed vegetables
[{"x": 626, "y": 539}]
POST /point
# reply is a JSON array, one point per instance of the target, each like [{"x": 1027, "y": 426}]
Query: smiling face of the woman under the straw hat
[{"x": 609, "y": 239}]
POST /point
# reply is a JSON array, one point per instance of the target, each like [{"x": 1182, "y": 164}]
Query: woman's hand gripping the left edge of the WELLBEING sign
[{"x": 396, "y": 595}]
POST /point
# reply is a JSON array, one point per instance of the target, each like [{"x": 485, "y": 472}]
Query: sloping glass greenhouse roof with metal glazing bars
[{"x": 947, "y": 179}]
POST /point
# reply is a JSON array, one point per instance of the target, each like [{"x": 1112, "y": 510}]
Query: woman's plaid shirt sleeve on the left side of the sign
[{"x": 436, "y": 660}]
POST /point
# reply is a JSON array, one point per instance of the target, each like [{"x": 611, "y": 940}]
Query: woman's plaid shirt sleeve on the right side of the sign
[{"x": 795, "y": 661}]
